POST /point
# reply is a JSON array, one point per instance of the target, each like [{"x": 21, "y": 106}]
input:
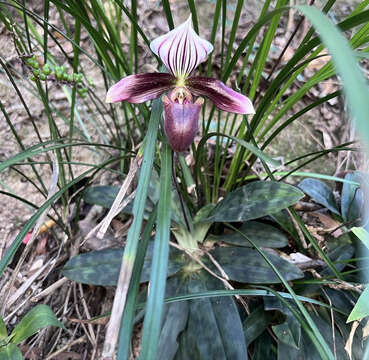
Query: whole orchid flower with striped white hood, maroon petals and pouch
[{"x": 181, "y": 50}]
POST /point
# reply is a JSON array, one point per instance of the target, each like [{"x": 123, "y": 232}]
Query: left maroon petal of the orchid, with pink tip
[{"x": 140, "y": 88}]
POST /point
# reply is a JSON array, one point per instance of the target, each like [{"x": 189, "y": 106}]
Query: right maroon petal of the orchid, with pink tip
[{"x": 221, "y": 95}]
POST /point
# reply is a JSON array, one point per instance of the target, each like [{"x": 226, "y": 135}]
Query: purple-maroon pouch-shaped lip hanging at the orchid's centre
[{"x": 181, "y": 122}]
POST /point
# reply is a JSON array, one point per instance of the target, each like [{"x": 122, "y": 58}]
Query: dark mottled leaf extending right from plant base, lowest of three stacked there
[{"x": 248, "y": 266}]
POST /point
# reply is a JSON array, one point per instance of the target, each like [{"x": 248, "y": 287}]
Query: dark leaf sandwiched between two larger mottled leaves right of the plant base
[{"x": 262, "y": 234}]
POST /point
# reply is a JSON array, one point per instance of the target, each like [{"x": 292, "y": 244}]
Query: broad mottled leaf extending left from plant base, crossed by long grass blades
[{"x": 102, "y": 267}]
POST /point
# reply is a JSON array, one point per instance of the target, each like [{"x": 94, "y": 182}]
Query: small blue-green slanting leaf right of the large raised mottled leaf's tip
[{"x": 320, "y": 193}]
